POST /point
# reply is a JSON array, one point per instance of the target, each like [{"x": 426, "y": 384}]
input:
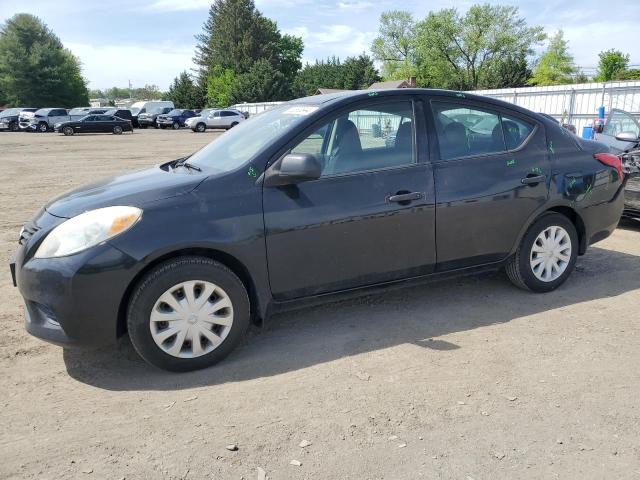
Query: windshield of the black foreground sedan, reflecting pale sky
[{"x": 243, "y": 142}]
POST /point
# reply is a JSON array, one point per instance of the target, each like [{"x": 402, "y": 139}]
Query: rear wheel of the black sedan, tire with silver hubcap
[{"x": 534, "y": 270}]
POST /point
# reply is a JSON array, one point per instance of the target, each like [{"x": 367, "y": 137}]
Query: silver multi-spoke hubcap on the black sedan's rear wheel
[{"x": 550, "y": 254}]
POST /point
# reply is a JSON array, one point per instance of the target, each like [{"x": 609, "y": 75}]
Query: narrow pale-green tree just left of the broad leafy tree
[{"x": 395, "y": 44}]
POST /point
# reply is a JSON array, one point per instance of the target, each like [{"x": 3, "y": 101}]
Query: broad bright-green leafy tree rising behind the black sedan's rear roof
[{"x": 465, "y": 51}]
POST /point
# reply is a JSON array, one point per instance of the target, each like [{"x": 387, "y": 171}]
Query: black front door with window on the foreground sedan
[{"x": 369, "y": 218}]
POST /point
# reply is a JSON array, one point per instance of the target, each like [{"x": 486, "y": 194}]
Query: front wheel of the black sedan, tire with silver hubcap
[{"x": 162, "y": 281}]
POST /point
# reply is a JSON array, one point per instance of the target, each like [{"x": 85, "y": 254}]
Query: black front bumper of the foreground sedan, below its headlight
[{"x": 74, "y": 299}]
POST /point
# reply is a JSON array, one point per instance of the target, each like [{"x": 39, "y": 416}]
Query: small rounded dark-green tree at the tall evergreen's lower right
[{"x": 262, "y": 83}]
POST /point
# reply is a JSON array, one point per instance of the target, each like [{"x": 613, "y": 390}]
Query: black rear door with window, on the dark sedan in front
[{"x": 492, "y": 172}]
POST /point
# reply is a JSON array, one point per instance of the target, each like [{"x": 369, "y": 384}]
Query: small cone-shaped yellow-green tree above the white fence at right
[{"x": 555, "y": 66}]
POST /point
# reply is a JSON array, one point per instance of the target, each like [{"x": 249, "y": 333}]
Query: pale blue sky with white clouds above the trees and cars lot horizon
[{"x": 151, "y": 41}]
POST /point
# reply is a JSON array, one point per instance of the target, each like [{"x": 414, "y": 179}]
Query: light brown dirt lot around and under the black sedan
[{"x": 466, "y": 379}]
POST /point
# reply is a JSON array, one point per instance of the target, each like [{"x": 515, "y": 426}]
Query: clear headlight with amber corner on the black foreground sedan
[{"x": 87, "y": 230}]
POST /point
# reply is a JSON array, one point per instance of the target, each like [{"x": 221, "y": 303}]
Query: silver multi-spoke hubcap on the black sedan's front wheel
[{"x": 191, "y": 319}]
